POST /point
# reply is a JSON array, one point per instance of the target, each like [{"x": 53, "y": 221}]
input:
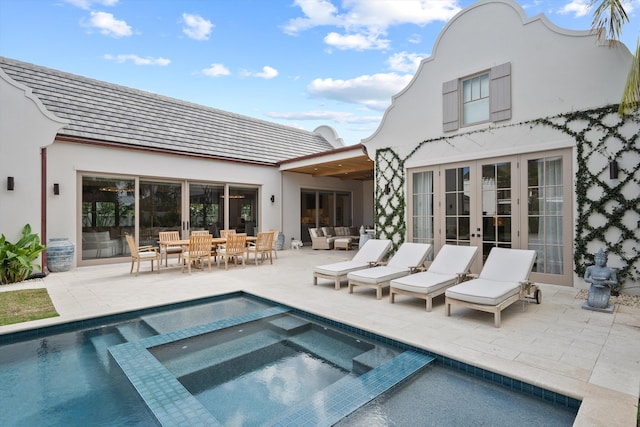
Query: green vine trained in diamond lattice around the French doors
[{"x": 600, "y": 135}]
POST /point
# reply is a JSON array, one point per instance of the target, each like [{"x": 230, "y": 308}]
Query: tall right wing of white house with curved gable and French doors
[{"x": 505, "y": 137}]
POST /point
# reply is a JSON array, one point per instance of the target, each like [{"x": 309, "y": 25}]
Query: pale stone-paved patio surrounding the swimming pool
[{"x": 557, "y": 345}]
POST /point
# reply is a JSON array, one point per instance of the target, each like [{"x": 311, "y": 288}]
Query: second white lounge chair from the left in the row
[{"x": 409, "y": 257}]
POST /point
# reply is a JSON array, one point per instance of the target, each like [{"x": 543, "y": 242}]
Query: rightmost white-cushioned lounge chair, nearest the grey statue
[{"x": 504, "y": 279}]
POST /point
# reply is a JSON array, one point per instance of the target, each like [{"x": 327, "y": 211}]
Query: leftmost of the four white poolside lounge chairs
[{"x": 373, "y": 251}]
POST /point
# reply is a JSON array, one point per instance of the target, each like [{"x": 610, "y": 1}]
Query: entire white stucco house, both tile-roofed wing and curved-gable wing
[{"x": 506, "y": 136}]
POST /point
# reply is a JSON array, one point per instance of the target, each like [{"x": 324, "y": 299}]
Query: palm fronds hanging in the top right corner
[{"x": 608, "y": 19}]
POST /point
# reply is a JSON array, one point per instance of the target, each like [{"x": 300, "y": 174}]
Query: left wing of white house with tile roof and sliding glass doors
[{"x": 92, "y": 162}]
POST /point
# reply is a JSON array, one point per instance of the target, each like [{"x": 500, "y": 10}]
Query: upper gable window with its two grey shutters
[{"x": 480, "y": 98}]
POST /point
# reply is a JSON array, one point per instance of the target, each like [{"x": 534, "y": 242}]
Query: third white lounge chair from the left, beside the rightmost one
[{"x": 446, "y": 270}]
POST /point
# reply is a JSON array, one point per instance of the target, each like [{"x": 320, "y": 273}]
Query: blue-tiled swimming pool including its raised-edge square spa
[{"x": 243, "y": 360}]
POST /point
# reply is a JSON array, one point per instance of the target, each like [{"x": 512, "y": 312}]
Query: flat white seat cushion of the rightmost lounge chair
[{"x": 482, "y": 291}]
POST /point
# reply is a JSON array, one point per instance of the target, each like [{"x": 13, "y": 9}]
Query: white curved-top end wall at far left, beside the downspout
[{"x": 25, "y": 127}]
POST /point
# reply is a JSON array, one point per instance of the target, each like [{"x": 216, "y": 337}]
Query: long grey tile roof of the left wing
[{"x": 107, "y": 112}]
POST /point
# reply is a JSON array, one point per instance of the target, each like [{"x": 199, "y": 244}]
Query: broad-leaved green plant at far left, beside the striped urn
[{"x": 16, "y": 259}]
